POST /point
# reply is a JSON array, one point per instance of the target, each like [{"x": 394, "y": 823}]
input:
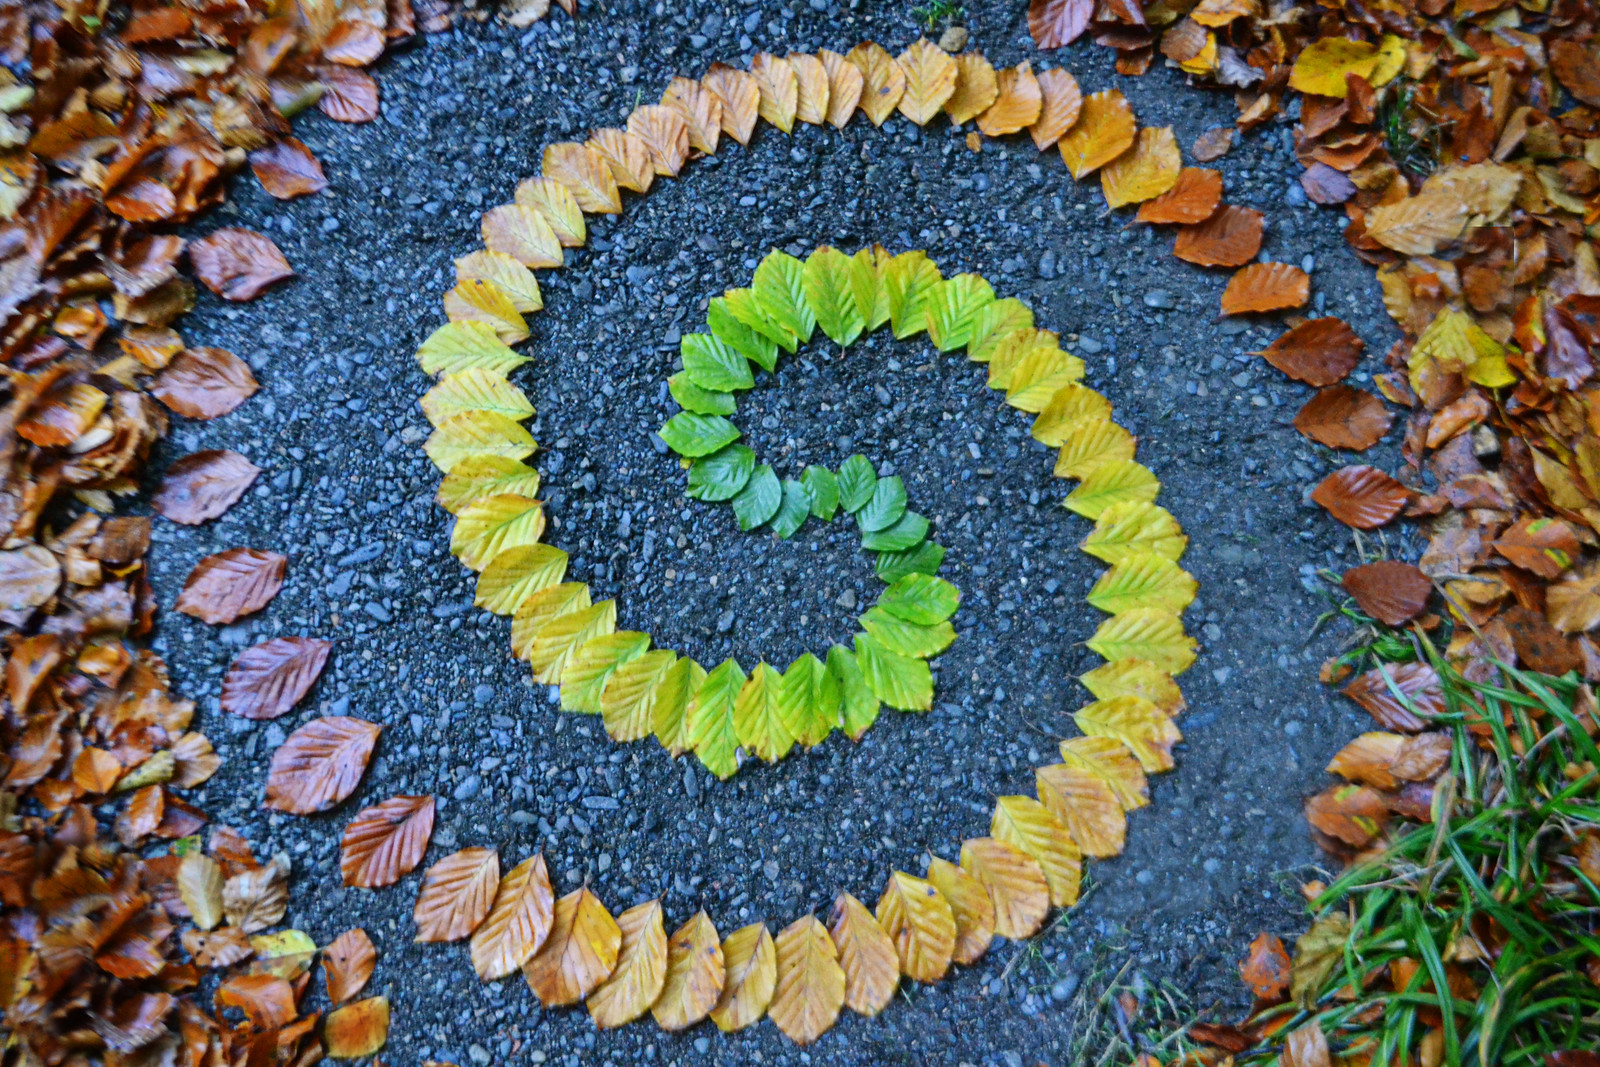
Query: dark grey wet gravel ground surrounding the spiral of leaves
[{"x": 348, "y": 495}]
